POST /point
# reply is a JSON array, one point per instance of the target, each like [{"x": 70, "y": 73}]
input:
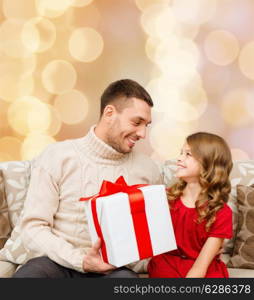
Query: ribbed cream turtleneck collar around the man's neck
[{"x": 98, "y": 150}]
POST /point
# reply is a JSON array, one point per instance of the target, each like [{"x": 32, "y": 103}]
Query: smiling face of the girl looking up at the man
[{"x": 188, "y": 167}]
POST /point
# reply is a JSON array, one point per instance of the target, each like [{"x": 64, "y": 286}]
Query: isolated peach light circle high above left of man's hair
[{"x": 85, "y": 44}]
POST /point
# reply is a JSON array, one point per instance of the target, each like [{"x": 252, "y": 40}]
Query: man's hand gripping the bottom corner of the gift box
[{"x": 93, "y": 261}]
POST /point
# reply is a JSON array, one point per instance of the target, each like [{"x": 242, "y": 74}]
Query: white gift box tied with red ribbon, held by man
[{"x": 116, "y": 223}]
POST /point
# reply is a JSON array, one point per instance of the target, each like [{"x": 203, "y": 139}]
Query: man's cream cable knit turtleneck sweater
[{"x": 54, "y": 222}]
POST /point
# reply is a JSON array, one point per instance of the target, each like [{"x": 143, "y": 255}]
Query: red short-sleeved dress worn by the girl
[{"x": 190, "y": 238}]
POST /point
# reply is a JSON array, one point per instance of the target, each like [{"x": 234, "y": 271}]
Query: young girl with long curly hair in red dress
[{"x": 200, "y": 216}]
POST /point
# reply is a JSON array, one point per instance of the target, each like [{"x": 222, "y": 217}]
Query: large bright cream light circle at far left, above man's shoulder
[{"x": 28, "y": 114}]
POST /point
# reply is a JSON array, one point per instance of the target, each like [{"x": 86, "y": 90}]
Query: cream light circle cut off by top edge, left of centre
[{"x": 52, "y": 9}]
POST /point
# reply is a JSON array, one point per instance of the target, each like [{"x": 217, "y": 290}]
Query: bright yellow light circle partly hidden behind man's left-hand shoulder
[{"x": 34, "y": 144}]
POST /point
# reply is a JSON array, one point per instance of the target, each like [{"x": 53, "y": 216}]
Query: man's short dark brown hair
[{"x": 118, "y": 93}]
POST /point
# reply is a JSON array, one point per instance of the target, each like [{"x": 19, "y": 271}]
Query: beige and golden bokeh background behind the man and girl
[{"x": 195, "y": 57}]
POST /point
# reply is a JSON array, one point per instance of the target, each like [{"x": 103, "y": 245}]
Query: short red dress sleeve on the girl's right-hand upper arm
[{"x": 223, "y": 225}]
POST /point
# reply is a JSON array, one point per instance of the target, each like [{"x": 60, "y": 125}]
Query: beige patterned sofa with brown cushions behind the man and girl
[{"x": 237, "y": 252}]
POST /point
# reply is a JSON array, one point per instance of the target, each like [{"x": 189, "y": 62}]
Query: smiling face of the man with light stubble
[{"x": 129, "y": 125}]
